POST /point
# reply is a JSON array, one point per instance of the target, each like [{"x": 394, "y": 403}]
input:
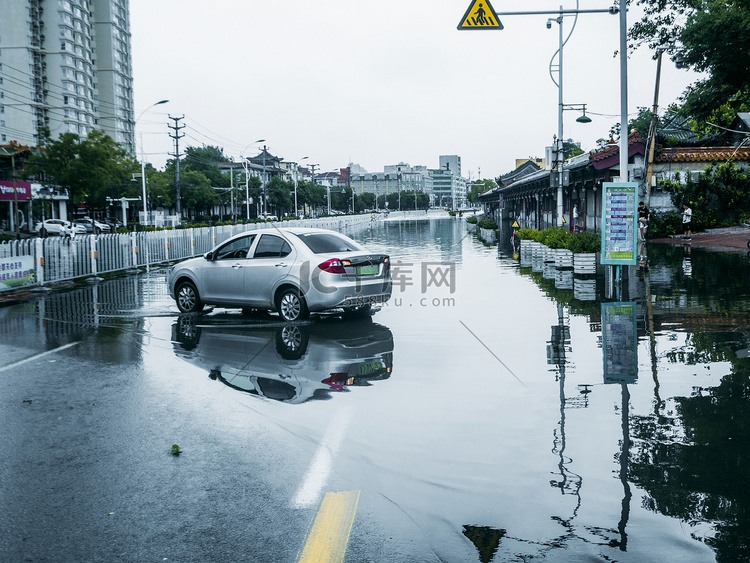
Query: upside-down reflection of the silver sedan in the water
[{"x": 292, "y": 363}]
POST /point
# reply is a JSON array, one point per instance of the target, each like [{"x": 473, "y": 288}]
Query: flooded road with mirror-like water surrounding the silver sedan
[{"x": 493, "y": 410}]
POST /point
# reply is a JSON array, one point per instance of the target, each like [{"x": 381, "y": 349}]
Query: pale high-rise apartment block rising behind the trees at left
[{"x": 66, "y": 65}]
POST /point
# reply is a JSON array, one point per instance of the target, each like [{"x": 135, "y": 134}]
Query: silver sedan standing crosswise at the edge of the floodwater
[{"x": 293, "y": 270}]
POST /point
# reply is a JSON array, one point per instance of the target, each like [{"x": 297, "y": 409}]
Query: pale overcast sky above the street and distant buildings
[{"x": 378, "y": 83}]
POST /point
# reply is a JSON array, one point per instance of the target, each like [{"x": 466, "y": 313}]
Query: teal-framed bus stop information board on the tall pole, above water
[{"x": 619, "y": 218}]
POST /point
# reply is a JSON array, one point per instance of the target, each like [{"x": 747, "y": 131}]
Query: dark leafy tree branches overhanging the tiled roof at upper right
[{"x": 713, "y": 38}]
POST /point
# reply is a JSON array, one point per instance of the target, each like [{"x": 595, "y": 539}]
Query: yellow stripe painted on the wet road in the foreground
[{"x": 329, "y": 534}]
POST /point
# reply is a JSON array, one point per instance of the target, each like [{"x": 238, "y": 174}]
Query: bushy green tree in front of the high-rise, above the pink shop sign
[{"x": 89, "y": 168}]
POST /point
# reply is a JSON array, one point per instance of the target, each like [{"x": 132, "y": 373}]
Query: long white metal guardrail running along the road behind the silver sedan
[{"x": 57, "y": 259}]
